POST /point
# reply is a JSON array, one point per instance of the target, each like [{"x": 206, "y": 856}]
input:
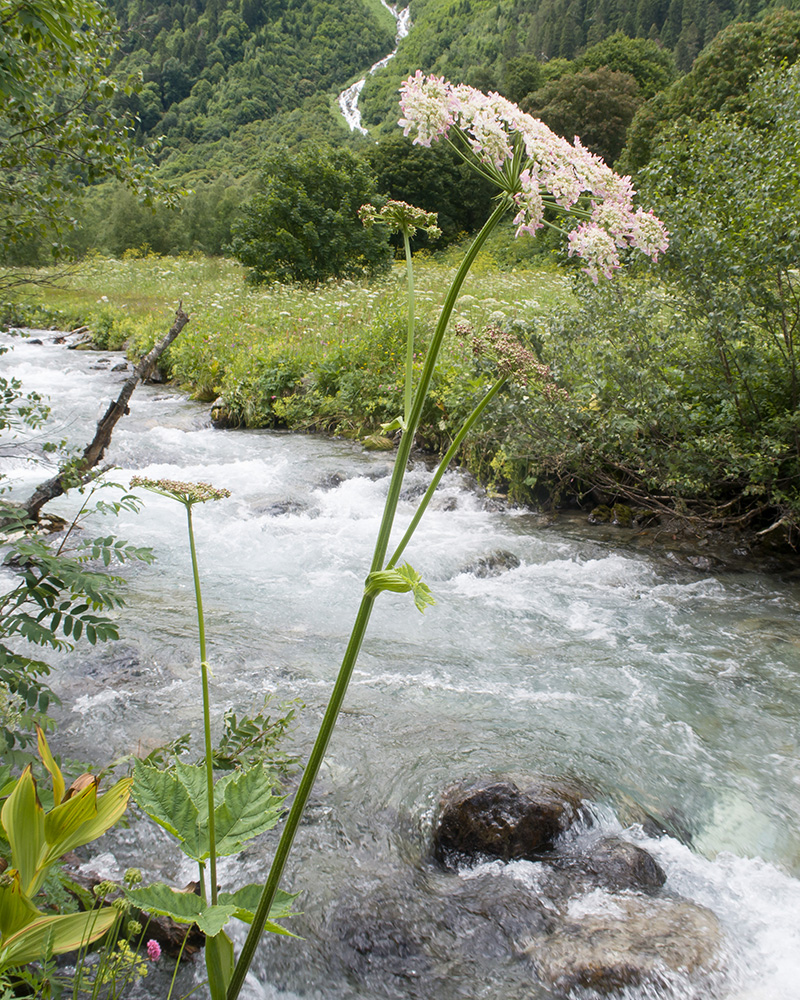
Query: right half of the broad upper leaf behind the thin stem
[{"x": 248, "y": 808}]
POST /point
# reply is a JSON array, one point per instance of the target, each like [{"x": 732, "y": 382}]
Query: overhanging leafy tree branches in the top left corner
[{"x": 57, "y": 132}]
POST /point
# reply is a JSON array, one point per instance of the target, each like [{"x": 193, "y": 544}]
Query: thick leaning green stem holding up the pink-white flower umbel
[{"x": 362, "y": 618}]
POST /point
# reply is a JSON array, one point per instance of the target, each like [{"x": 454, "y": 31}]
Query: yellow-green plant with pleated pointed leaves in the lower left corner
[{"x": 37, "y": 840}]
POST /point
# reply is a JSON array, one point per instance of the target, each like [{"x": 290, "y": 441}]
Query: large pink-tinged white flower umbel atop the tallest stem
[{"x": 536, "y": 168}]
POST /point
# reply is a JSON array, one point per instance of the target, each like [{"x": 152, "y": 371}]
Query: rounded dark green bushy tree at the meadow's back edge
[{"x": 303, "y": 225}]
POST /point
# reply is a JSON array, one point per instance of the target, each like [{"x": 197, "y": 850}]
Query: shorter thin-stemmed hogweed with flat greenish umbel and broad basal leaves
[{"x": 209, "y": 817}]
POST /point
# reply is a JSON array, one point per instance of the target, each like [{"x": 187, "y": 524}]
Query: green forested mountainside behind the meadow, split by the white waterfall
[{"x": 219, "y": 85}]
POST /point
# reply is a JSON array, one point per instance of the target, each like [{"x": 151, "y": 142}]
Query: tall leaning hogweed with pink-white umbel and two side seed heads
[{"x": 545, "y": 181}]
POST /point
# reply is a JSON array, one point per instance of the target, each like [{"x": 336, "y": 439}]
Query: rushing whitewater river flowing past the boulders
[{"x": 669, "y": 693}]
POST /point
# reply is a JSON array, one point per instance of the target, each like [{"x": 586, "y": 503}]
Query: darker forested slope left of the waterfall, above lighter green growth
[{"x": 212, "y": 66}]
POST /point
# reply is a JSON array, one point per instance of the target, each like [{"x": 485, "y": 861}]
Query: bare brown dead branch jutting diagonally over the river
[{"x": 80, "y": 471}]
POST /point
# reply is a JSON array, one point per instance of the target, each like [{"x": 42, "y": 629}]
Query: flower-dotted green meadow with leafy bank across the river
[{"x": 326, "y": 358}]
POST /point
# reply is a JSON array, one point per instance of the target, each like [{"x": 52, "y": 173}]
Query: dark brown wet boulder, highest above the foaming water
[{"x": 500, "y": 820}]
